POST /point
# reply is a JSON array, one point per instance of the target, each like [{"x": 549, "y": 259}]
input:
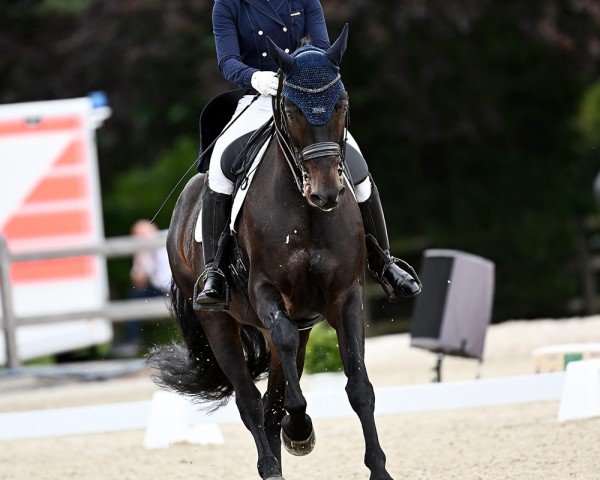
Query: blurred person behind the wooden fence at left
[{"x": 150, "y": 277}]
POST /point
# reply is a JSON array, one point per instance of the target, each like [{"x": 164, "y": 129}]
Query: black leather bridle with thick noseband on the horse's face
[{"x": 295, "y": 157}]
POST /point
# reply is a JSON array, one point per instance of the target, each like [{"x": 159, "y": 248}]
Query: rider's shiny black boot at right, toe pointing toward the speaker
[{"x": 381, "y": 264}]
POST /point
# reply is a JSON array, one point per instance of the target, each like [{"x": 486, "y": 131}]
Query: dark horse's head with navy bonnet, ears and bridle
[{"x": 312, "y": 117}]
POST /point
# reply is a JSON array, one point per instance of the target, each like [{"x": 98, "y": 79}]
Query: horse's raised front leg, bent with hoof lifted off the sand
[{"x": 298, "y": 435}]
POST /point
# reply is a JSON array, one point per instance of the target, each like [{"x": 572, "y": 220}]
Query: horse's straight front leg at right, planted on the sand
[{"x": 347, "y": 318}]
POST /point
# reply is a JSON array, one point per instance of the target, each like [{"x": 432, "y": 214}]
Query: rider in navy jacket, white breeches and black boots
[{"x": 241, "y": 28}]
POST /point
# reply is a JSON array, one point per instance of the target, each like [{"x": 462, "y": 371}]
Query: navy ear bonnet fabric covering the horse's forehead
[{"x": 314, "y": 84}]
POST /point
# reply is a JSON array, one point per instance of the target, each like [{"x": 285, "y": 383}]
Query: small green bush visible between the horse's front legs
[{"x": 322, "y": 351}]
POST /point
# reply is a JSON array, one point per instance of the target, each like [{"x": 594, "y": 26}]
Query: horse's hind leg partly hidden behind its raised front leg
[{"x": 274, "y": 397}]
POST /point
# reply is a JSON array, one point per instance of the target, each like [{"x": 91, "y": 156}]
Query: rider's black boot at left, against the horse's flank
[{"x": 216, "y": 208}]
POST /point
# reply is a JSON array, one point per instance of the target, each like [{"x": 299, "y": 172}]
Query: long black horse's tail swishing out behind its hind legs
[{"x": 191, "y": 368}]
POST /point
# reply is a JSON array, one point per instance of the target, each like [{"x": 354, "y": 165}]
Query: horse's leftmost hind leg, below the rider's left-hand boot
[{"x": 224, "y": 338}]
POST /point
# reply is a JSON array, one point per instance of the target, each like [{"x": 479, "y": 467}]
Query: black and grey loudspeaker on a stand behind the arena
[{"x": 453, "y": 312}]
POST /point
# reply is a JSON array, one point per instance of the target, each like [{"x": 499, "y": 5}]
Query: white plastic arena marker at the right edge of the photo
[{"x": 581, "y": 391}]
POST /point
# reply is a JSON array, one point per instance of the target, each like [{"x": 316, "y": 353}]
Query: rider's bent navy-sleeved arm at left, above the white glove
[{"x": 228, "y": 47}]
